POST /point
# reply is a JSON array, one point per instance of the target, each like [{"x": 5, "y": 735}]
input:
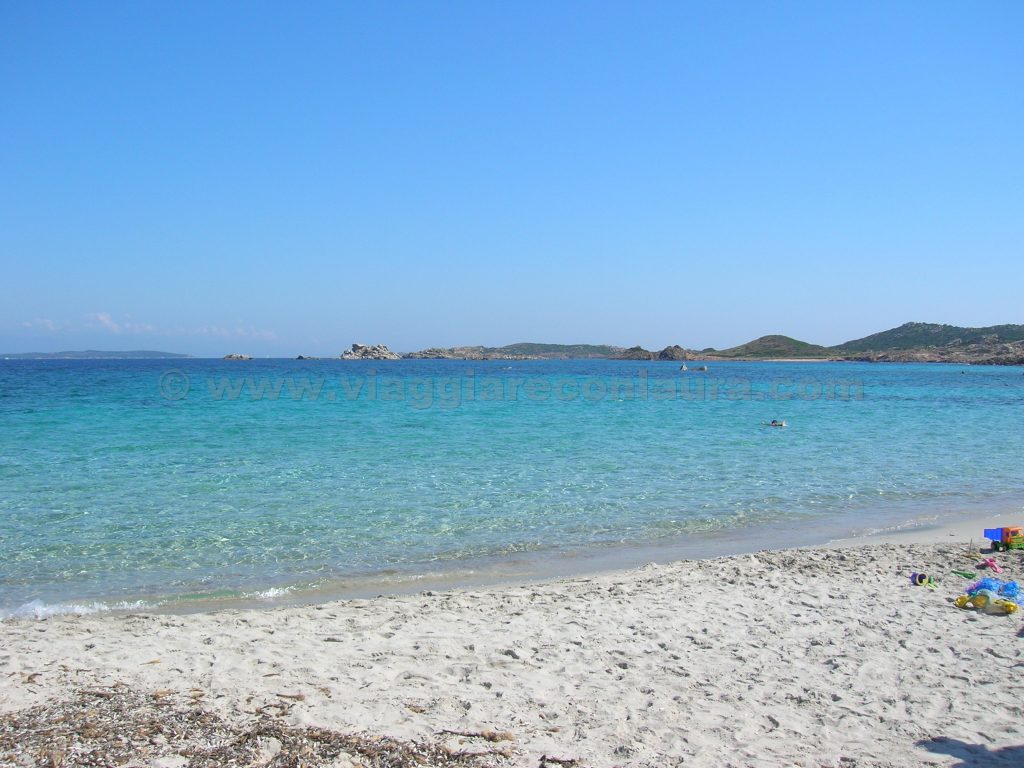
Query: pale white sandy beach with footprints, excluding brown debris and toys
[{"x": 823, "y": 657}]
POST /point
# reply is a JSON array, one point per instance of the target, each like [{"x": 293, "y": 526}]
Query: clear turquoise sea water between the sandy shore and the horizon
[{"x": 152, "y": 483}]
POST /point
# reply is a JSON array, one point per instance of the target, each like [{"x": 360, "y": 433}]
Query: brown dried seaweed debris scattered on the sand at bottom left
[{"x": 119, "y": 727}]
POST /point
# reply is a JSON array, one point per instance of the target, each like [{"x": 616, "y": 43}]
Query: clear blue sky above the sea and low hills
[{"x": 280, "y": 179}]
